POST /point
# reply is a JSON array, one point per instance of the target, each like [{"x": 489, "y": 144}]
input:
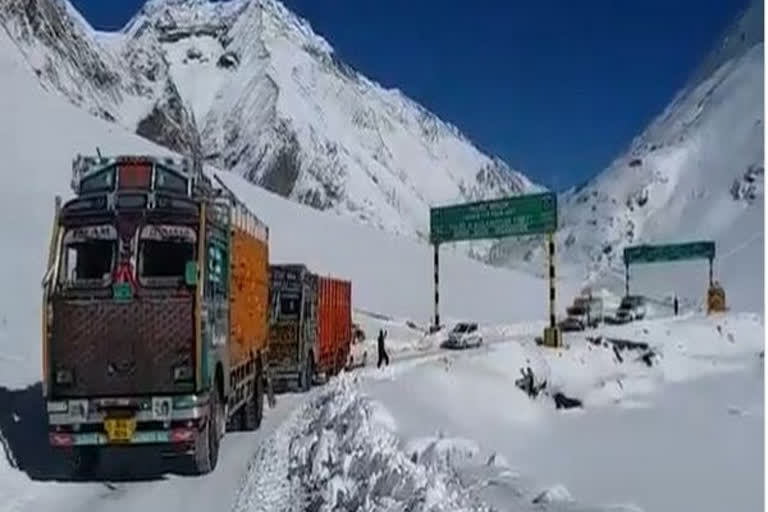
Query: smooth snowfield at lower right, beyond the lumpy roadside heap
[{"x": 709, "y": 458}]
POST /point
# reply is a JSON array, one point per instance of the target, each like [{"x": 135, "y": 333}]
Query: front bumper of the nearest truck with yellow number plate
[{"x": 126, "y": 421}]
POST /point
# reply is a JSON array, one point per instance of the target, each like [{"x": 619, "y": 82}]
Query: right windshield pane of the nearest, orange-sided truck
[{"x": 164, "y": 252}]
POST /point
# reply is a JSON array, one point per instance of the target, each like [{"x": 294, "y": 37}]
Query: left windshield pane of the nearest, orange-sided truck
[{"x": 88, "y": 256}]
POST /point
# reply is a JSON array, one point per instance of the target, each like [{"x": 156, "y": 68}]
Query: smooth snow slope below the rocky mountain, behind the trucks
[{"x": 40, "y": 134}]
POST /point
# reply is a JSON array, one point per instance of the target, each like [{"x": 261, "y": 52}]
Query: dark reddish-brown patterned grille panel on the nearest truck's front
[{"x": 115, "y": 348}]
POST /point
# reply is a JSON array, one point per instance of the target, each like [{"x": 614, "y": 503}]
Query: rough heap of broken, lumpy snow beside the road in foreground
[{"x": 336, "y": 454}]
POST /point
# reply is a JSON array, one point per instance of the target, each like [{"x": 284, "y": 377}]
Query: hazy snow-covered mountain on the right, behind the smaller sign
[{"x": 695, "y": 173}]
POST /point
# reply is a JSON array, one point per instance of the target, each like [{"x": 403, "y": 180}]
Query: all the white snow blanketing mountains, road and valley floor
[{"x": 436, "y": 430}]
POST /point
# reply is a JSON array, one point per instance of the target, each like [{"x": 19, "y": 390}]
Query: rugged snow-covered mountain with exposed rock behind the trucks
[{"x": 252, "y": 87}]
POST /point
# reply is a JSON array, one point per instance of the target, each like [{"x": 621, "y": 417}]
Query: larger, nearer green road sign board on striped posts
[{"x": 511, "y": 216}]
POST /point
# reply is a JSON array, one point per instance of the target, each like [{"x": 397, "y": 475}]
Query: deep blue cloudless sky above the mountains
[{"x": 557, "y": 88}]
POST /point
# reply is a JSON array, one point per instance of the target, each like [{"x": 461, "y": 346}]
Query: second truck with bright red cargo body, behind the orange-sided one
[{"x": 310, "y": 327}]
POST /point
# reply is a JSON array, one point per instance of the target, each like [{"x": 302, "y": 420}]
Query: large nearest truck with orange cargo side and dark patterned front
[{"x": 154, "y": 328}]
